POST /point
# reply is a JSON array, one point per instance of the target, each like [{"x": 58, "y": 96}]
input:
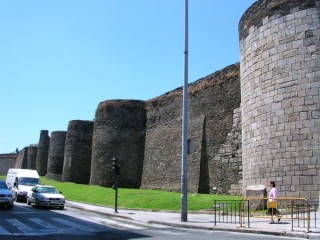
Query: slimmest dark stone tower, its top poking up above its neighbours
[{"x": 42, "y": 153}]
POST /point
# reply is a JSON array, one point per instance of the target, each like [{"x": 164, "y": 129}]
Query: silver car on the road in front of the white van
[{"x": 45, "y": 196}]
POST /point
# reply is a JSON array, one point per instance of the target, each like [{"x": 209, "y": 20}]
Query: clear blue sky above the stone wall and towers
[{"x": 60, "y": 58}]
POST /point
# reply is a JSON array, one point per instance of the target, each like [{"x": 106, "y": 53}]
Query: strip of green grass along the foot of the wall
[{"x": 133, "y": 198}]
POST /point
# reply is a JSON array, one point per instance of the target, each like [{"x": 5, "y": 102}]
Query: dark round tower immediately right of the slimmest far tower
[{"x": 56, "y": 155}]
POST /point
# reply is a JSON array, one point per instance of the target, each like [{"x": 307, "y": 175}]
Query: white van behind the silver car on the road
[{"x": 20, "y": 181}]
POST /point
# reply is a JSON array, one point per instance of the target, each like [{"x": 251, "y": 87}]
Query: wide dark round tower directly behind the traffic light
[{"x": 119, "y": 131}]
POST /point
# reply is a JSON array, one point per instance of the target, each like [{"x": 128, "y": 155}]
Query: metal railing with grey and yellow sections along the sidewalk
[{"x": 300, "y": 212}]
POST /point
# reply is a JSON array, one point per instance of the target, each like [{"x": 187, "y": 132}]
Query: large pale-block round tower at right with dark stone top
[{"x": 280, "y": 84}]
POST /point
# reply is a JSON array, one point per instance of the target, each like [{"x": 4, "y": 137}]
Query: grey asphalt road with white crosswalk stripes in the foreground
[{"x": 28, "y": 222}]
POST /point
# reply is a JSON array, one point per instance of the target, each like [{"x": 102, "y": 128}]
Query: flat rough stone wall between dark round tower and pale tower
[{"x": 212, "y": 101}]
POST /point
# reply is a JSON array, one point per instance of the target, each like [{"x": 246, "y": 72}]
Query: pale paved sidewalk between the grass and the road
[{"x": 202, "y": 221}]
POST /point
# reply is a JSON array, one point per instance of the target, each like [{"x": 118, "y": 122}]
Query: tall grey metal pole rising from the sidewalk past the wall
[{"x": 184, "y": 162}]
